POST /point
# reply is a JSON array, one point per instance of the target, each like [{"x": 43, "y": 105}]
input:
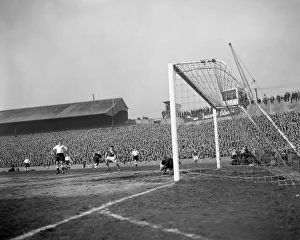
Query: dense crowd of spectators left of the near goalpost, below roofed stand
[{"x": 83, "y": 143}]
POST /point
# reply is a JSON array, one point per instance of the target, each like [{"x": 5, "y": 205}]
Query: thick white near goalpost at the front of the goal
[{"x": 173, "y": 123}]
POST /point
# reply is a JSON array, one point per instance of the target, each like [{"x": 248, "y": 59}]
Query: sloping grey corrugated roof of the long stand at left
[{"x": 58, "y": 111}]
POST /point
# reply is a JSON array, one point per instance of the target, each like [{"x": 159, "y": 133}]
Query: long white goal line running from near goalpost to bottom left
[{"x": 103, "y": 206}]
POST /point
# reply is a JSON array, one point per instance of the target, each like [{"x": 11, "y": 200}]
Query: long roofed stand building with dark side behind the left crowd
[{"x": 91, "y": 114}]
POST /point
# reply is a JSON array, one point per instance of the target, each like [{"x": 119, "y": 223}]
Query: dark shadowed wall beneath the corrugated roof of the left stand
[{"x": 50, "y": 125}]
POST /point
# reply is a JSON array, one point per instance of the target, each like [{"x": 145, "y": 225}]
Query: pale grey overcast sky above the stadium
[{"x": 64, "y": 51}]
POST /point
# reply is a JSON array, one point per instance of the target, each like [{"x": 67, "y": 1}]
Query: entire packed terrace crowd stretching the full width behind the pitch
[{"x": 154, "y": 141}]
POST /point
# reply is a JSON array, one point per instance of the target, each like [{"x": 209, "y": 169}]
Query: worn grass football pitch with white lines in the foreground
[{"x": 143, "y": 204}]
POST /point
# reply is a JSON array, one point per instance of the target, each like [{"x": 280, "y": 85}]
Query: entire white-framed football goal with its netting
[{"x": 218, "y": 129}]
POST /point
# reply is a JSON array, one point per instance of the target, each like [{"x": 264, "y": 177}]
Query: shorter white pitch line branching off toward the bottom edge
[{"x": 155, "y": 226}]
